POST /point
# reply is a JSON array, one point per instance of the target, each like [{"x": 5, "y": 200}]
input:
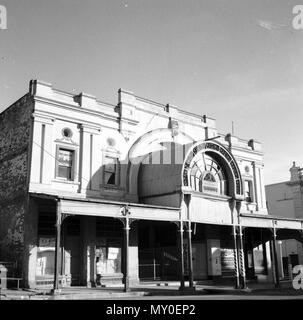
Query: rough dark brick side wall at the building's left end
[{"x": 14, "y": 148}]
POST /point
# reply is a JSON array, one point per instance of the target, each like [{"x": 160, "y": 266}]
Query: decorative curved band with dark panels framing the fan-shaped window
[{"x": 225, "y": 155}]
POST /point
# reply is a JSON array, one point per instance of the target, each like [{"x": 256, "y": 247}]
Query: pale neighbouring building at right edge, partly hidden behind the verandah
[{"x": 285, "y": 199}]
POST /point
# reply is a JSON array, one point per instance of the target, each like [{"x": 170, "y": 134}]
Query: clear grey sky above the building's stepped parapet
[{"x": 235, "y": 60}]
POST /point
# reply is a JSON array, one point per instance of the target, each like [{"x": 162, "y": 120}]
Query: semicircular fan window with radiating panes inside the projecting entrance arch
[{"x": 207, "y": 176}]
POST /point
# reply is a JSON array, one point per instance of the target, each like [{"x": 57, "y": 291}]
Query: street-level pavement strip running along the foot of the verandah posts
[{"x": 146, "y": 289}]
